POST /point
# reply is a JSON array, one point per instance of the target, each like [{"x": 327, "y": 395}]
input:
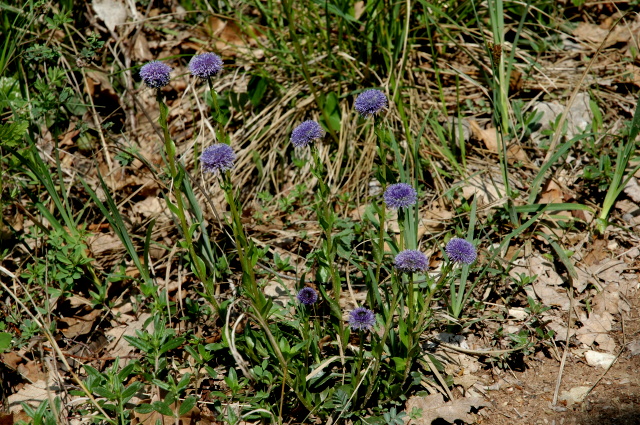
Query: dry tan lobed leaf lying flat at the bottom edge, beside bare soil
[{"x": 433, "y": 407}]
